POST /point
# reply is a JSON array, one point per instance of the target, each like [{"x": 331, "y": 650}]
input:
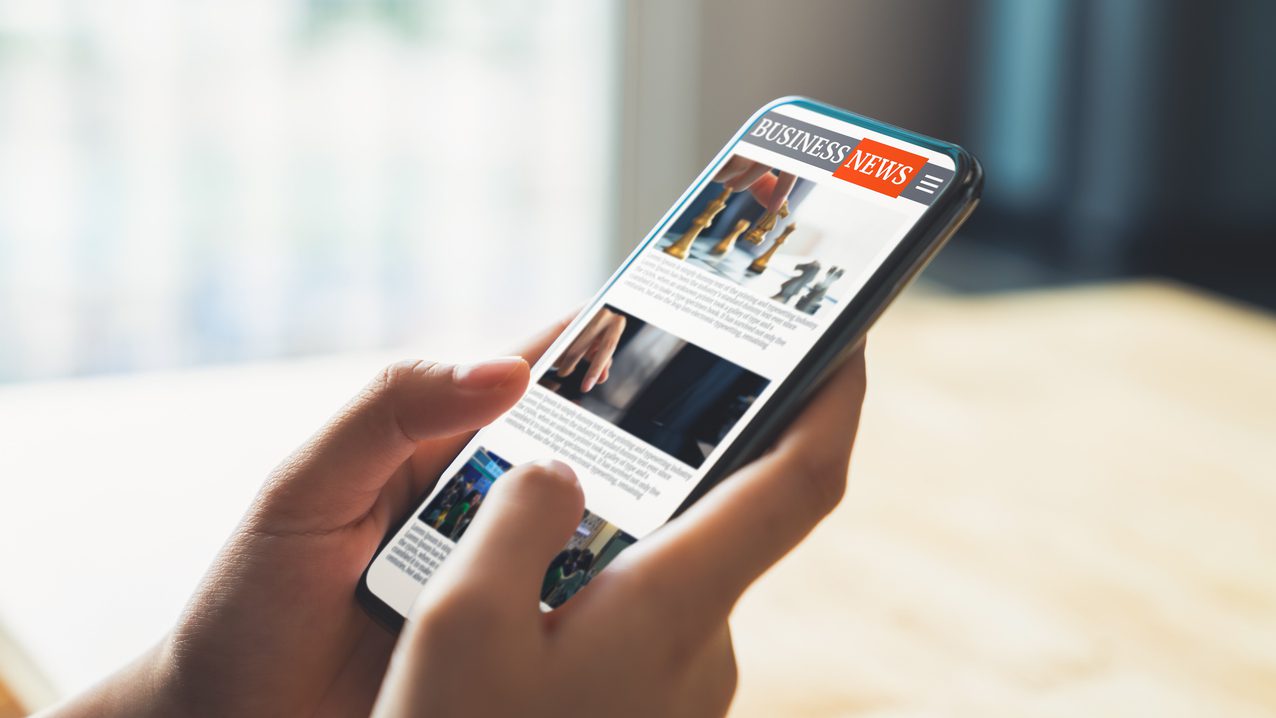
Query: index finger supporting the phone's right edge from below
[{"x": 711, "y": 554}]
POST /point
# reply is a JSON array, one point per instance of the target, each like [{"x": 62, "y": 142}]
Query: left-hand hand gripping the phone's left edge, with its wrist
[{"x": 275, "y": 628}]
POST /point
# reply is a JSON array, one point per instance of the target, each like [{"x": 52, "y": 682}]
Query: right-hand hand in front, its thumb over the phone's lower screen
[{"x": 646, "y": 637}]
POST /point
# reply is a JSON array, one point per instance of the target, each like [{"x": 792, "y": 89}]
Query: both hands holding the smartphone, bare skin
[{"x": 275, "y": 629}]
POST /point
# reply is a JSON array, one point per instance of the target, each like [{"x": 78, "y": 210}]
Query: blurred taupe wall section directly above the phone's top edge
[{"x": 905, "y": 63}]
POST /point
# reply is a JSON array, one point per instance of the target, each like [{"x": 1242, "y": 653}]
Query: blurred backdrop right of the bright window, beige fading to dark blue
[{"x": 1121, "y": 138}]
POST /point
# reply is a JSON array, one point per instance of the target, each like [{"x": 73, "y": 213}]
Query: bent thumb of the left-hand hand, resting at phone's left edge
[{"x": 338, "y": 476}]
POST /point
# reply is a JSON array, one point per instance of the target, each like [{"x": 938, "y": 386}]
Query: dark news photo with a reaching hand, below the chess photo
[{"x": 660, "y": 388}]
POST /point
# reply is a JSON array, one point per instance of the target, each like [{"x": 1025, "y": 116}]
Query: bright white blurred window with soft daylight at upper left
[{"x": 195, "y": 183}]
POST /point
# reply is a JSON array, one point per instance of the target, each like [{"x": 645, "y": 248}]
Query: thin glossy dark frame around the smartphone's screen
[{"x": 927, "y": 237}]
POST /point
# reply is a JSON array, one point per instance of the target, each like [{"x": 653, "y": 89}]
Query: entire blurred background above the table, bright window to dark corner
[{"x": 193, "y": 183}]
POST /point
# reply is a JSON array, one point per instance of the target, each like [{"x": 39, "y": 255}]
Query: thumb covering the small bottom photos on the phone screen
[{"x": 525, "y": 522}]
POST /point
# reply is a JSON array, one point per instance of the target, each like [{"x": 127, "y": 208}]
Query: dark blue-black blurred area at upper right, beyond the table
[{"x": 1127, "y": 138}]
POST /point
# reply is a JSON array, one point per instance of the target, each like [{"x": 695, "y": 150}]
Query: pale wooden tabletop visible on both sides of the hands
[{"x": 1062, "y": 504}]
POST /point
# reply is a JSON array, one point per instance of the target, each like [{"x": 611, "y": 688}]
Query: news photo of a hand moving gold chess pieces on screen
[{"x": 798, "y": 254}]
